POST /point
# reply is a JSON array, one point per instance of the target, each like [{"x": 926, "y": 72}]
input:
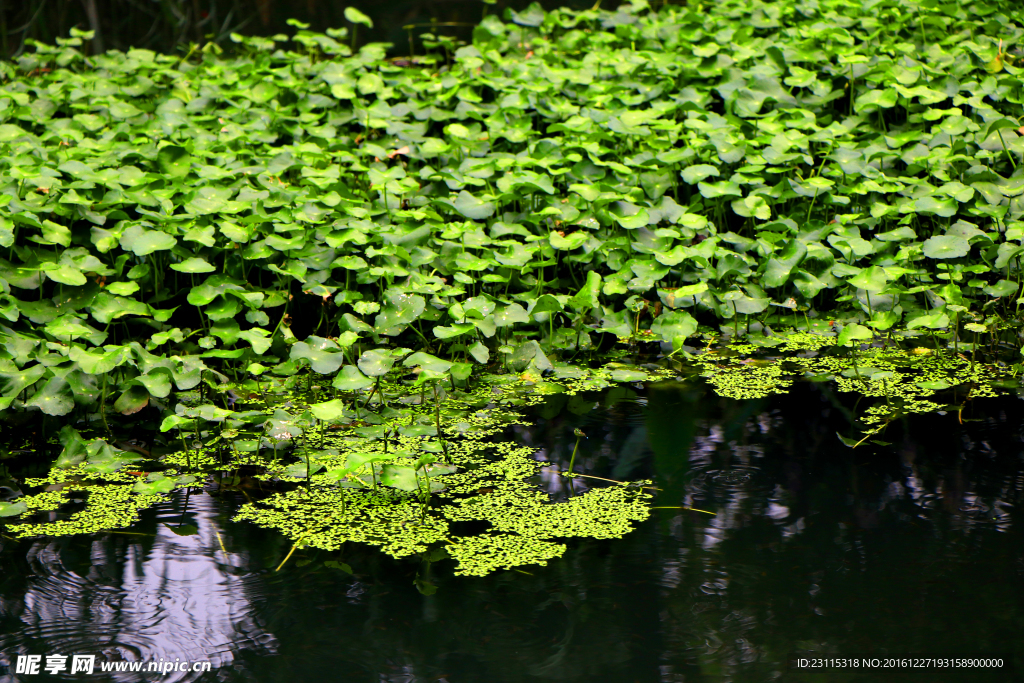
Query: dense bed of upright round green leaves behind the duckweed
[{"x": 625, "y": 173}]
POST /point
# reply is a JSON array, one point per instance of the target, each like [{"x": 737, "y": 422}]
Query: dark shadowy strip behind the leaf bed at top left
[{"x": 167, "y": 26}]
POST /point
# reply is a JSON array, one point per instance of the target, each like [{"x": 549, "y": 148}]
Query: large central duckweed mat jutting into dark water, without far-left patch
[{"x": 493, "y": 484}]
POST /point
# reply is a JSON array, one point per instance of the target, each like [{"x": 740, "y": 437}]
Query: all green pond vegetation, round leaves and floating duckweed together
[{"x": 240, "y": 253}]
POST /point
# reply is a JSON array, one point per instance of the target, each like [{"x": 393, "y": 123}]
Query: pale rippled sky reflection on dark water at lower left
[{"x": 175, "y": 595}]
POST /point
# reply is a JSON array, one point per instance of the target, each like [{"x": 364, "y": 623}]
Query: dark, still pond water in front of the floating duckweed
[{"x": 908, "y": 549}]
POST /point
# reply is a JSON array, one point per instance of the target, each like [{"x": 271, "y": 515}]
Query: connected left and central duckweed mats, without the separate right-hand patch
[{"x": 381, "y": 484}]
